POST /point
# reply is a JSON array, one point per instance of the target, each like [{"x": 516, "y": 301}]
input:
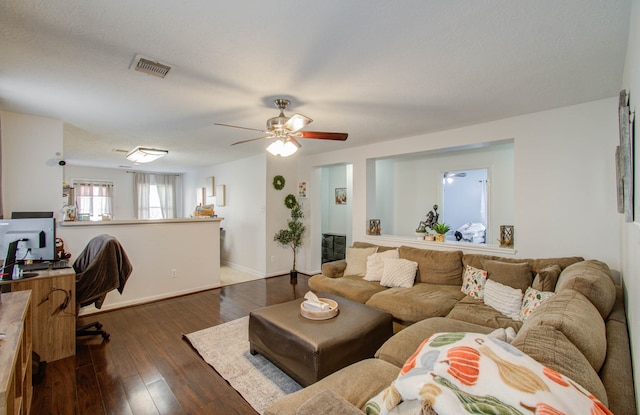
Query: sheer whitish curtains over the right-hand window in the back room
[{"x": 155, "y": 196}]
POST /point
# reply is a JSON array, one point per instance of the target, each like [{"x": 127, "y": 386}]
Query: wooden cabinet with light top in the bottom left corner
[{"x": 15, "y": 354}]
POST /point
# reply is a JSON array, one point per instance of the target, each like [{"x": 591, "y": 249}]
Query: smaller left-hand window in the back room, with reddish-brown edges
[{"x": 94, "y": 198}]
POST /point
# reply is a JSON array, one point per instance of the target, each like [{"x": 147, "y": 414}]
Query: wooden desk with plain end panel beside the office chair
[{"x": 54, "y": 329}]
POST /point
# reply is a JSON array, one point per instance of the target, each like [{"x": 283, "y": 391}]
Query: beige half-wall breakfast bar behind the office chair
[{"x": 170, "y": 257}]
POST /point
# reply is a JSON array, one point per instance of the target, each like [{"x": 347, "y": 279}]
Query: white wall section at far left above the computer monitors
[{"x": 31, "y": 176}]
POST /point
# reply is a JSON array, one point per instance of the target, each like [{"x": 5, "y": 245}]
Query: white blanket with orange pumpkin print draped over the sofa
[{"x": 471, "y": 373}]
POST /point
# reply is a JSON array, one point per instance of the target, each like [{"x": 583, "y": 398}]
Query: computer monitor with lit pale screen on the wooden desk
[{"x": 35, "y": 238}]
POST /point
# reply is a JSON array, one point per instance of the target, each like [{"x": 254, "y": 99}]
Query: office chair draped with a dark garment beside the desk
[{"x": 101, "y": 267}]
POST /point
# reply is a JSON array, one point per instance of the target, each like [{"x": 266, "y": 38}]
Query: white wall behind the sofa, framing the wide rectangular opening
[{"x": 564, "y": 179}]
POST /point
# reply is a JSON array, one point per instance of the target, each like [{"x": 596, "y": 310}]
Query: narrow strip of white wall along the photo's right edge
[{"x": 631, "y": 231}]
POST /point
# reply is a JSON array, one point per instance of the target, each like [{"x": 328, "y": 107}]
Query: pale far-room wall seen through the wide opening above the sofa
[{"x": 403, "y": 188}]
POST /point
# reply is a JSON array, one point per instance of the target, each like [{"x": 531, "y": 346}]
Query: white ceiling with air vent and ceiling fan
[{"x": 376, "y": 69}]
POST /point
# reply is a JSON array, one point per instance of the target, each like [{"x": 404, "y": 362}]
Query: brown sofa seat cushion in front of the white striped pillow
[{"x": 418, "y": 302}]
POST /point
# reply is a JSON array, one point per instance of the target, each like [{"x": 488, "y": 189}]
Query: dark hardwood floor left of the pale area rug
[{"x": 146, "y": 367}]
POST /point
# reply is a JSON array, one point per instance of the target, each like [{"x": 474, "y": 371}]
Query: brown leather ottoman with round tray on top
[{"x": 308, "y": 350}]
